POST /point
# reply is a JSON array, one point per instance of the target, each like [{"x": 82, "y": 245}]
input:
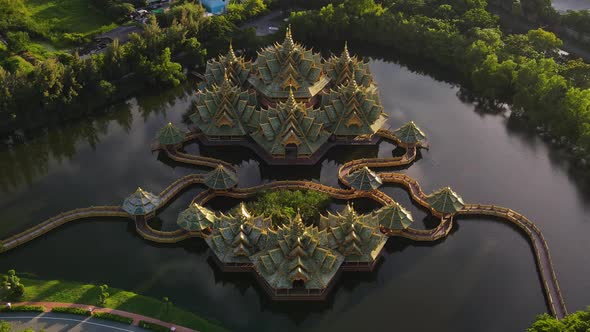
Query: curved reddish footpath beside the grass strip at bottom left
[{"x": 136, "y": 317}]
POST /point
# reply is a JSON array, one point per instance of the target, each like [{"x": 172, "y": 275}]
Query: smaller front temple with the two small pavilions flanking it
[{"x": 295, "y": 260}]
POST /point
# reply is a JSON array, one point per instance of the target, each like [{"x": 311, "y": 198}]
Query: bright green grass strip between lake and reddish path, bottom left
[{"x": 73, "y": 292}]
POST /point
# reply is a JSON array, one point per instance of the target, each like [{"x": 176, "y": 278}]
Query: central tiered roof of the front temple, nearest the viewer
[{"x": 300, "y": 253}]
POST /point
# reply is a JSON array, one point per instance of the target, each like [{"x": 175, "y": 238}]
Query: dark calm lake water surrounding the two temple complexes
[{"x": 481, "y": 278}]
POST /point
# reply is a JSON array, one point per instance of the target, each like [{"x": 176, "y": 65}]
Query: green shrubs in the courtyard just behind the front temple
[{"x": 282, "y": 205}]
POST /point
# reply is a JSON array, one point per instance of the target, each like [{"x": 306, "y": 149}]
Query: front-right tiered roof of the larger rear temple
[{"x": 352, "y": 109}]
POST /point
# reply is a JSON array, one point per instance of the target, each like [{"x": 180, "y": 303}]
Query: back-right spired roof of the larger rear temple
[{"x": 343, "y": 68}]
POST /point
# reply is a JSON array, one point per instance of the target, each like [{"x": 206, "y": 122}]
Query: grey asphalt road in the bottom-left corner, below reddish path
[{"x": 52, "y": 322}]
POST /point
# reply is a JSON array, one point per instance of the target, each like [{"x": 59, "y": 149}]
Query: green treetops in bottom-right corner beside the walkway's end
[{"x": 576, "y": 322}]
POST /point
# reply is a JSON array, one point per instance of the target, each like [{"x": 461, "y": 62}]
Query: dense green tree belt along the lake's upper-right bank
[{"x": 519, "y": 69}]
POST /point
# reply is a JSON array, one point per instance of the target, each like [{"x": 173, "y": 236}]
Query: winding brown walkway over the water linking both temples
[{"x": 543, "y": 259}]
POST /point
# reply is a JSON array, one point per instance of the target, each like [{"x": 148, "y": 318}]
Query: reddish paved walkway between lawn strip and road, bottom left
[{"x": 49, "y": 305}]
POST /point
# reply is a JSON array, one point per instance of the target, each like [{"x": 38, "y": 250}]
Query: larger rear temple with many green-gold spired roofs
[{"x": 288, "y": 104}]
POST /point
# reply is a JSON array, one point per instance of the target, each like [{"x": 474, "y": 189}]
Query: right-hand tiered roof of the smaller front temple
[{"x": 358, "y": 238}]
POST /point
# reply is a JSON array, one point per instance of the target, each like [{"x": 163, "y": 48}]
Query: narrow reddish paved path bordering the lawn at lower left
[{"x": 136, "y": 317}]
